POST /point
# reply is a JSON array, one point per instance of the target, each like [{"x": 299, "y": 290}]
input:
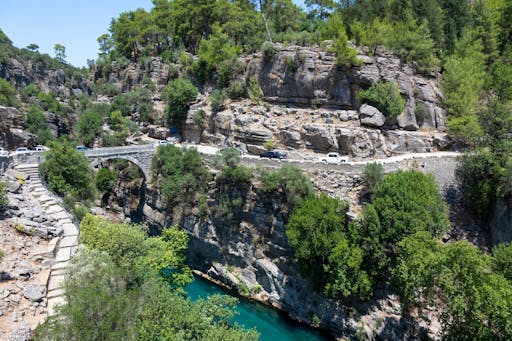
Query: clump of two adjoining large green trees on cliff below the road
[{"x": 345, "y": 259}]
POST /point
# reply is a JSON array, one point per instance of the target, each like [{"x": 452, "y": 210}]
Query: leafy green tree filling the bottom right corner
[{"x": 476, "y": 301}]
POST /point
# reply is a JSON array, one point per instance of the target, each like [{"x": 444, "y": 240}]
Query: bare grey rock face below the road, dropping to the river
[{"x": 248, "y": 251}]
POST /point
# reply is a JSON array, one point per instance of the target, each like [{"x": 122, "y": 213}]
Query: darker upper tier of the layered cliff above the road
[{"x": 309, "y": 76}]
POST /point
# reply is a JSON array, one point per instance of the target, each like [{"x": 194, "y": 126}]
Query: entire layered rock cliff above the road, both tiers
[{"x": 312, "y": 104}]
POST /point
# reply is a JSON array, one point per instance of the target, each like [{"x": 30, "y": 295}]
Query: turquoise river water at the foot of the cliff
[{"x": 270, "y": 323}]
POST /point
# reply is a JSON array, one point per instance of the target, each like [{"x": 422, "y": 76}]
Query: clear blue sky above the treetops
[{"x": 75, "y": 24}]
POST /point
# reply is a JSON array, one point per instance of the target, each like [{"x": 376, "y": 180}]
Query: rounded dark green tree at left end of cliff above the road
[{"x": 179, "y": 94}]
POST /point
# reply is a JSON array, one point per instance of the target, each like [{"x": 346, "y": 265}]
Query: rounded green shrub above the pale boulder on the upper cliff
[{"x": 386, "y": 97}]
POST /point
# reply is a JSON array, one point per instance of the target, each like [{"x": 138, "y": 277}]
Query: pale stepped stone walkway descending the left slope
[{"x": 66, "y": 245}]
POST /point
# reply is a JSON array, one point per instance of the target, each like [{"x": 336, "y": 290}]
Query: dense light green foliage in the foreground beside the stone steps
[{"x": 127, "y": 286}]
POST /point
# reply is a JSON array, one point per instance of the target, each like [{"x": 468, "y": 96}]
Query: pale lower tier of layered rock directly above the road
[{"x": 248, "y": 126}]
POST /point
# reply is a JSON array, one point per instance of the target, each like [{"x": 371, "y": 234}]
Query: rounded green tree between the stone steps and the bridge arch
[{"x": 67, "y": 171}]
